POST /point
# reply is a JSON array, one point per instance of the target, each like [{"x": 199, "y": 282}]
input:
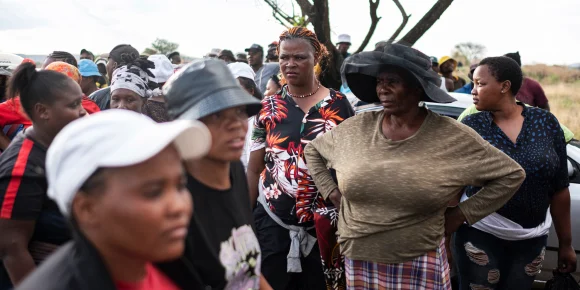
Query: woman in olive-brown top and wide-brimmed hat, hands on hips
[{"x": 408, "y": 164}]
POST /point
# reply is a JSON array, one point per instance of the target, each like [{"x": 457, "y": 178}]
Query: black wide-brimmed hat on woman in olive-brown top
[{"x": 360, "y": 71}]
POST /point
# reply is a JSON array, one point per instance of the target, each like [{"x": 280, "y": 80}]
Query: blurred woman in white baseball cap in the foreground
[{"x": 127, "y": 203}]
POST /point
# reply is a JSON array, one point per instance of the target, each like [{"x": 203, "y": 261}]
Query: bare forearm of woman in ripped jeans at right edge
[{"x": 560, "y": 210}]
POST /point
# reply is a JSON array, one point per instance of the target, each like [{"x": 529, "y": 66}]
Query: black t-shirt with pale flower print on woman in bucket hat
[{"x": 226, "y": 250}]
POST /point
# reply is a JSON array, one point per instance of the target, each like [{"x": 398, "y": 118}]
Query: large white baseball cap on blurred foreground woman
[{"x": 114, "y": 138}]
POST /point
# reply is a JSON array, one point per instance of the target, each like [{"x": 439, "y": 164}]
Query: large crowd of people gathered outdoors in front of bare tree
[{"x": 139, "y": 172}]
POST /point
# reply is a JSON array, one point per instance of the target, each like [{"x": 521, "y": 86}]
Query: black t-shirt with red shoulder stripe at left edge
[{"x": 23, "y": 188}]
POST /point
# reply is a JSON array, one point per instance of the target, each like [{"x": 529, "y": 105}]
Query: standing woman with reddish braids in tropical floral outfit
[{"x": 295, "y": 226}]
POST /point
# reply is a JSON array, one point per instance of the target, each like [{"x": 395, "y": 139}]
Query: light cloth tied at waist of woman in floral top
[{"x": 301, "y": 242}]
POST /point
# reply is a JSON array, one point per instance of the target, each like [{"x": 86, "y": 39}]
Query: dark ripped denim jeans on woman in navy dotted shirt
[{"x": 486, "y": 262}]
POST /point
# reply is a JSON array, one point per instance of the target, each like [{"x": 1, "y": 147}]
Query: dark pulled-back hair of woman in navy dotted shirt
[{"x": 505, "y": 69}]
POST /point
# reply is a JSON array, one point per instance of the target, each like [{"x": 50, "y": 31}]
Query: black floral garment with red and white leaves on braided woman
[{"x": 284, "y": 129}]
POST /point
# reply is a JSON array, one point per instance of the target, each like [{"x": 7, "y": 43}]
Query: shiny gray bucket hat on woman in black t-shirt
[{"x": 205, "y": 87}]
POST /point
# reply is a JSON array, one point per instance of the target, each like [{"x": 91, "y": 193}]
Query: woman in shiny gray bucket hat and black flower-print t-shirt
[{"x": 225, "y": 249}]
